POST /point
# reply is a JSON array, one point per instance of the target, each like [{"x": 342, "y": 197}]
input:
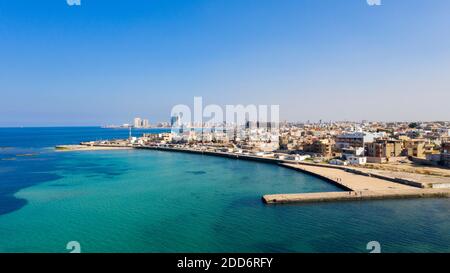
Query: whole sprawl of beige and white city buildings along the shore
[{"x": 425, "y": 143}]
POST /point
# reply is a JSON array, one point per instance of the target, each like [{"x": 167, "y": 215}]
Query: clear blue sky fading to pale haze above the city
[{"x": 107, "y": 61}]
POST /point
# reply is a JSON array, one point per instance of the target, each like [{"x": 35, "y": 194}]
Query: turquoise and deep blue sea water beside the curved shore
[{"x": 151, "y": 201}]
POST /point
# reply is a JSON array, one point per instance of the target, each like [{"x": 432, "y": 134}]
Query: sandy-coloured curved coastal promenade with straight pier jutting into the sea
[{"x": 357, "y": 184}]
